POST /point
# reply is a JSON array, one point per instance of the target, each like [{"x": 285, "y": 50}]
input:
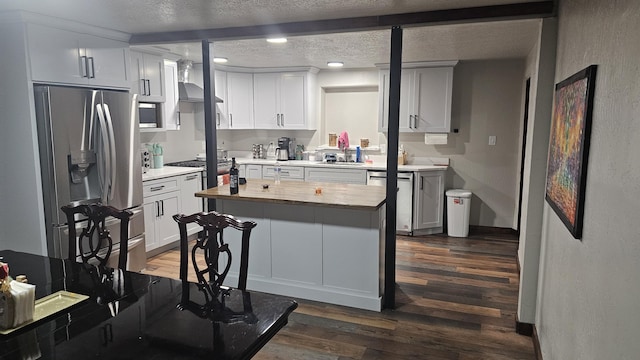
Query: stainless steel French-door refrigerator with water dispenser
[{"x": 89, "y": 144}]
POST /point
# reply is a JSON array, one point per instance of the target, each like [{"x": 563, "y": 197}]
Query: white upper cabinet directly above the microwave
[{"x": 148, "y": 76}]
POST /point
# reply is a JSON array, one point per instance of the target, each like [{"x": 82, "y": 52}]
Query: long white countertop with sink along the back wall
[{"x": 375, "y": 166}]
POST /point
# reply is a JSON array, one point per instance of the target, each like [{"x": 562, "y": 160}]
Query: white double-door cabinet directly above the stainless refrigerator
[{"x": 67, "y": 57}]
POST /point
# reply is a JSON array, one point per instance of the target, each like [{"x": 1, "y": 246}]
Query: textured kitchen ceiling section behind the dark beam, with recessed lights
[{"x": 495, "y": 40}]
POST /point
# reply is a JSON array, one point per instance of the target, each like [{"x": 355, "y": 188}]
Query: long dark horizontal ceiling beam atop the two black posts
[{"x": 538, "y": 9}]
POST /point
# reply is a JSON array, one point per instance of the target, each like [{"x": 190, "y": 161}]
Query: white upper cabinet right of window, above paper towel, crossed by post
[{"x": 425, "y": 99}]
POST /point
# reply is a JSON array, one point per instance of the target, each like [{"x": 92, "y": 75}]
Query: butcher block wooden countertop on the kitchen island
[{"x": 357, "y": 197}]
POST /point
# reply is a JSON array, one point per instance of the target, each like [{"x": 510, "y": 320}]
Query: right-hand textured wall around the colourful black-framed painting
[{"x": 589, "y": 289}]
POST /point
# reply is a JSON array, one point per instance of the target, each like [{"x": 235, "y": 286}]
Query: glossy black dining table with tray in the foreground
[{"x": 85, "y": 311}]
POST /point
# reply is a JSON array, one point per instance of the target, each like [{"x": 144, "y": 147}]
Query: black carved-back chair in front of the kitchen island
[{"x": 211, "y": 247}]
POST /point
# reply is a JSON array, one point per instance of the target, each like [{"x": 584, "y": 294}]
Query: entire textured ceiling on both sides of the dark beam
[{"x": 483, "y": 40}]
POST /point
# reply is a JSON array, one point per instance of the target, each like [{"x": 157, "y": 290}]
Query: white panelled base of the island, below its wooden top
[{"x": 327, "y": 254}]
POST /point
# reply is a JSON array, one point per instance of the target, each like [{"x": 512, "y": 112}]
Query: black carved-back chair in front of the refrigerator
[{"x": 95, "y": 242}]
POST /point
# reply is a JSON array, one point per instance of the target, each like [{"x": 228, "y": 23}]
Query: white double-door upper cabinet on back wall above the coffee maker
[{"x": 280, "y": 100}]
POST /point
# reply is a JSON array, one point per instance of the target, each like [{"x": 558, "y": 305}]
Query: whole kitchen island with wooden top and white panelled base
[{"x": 316, "y": 241}]
